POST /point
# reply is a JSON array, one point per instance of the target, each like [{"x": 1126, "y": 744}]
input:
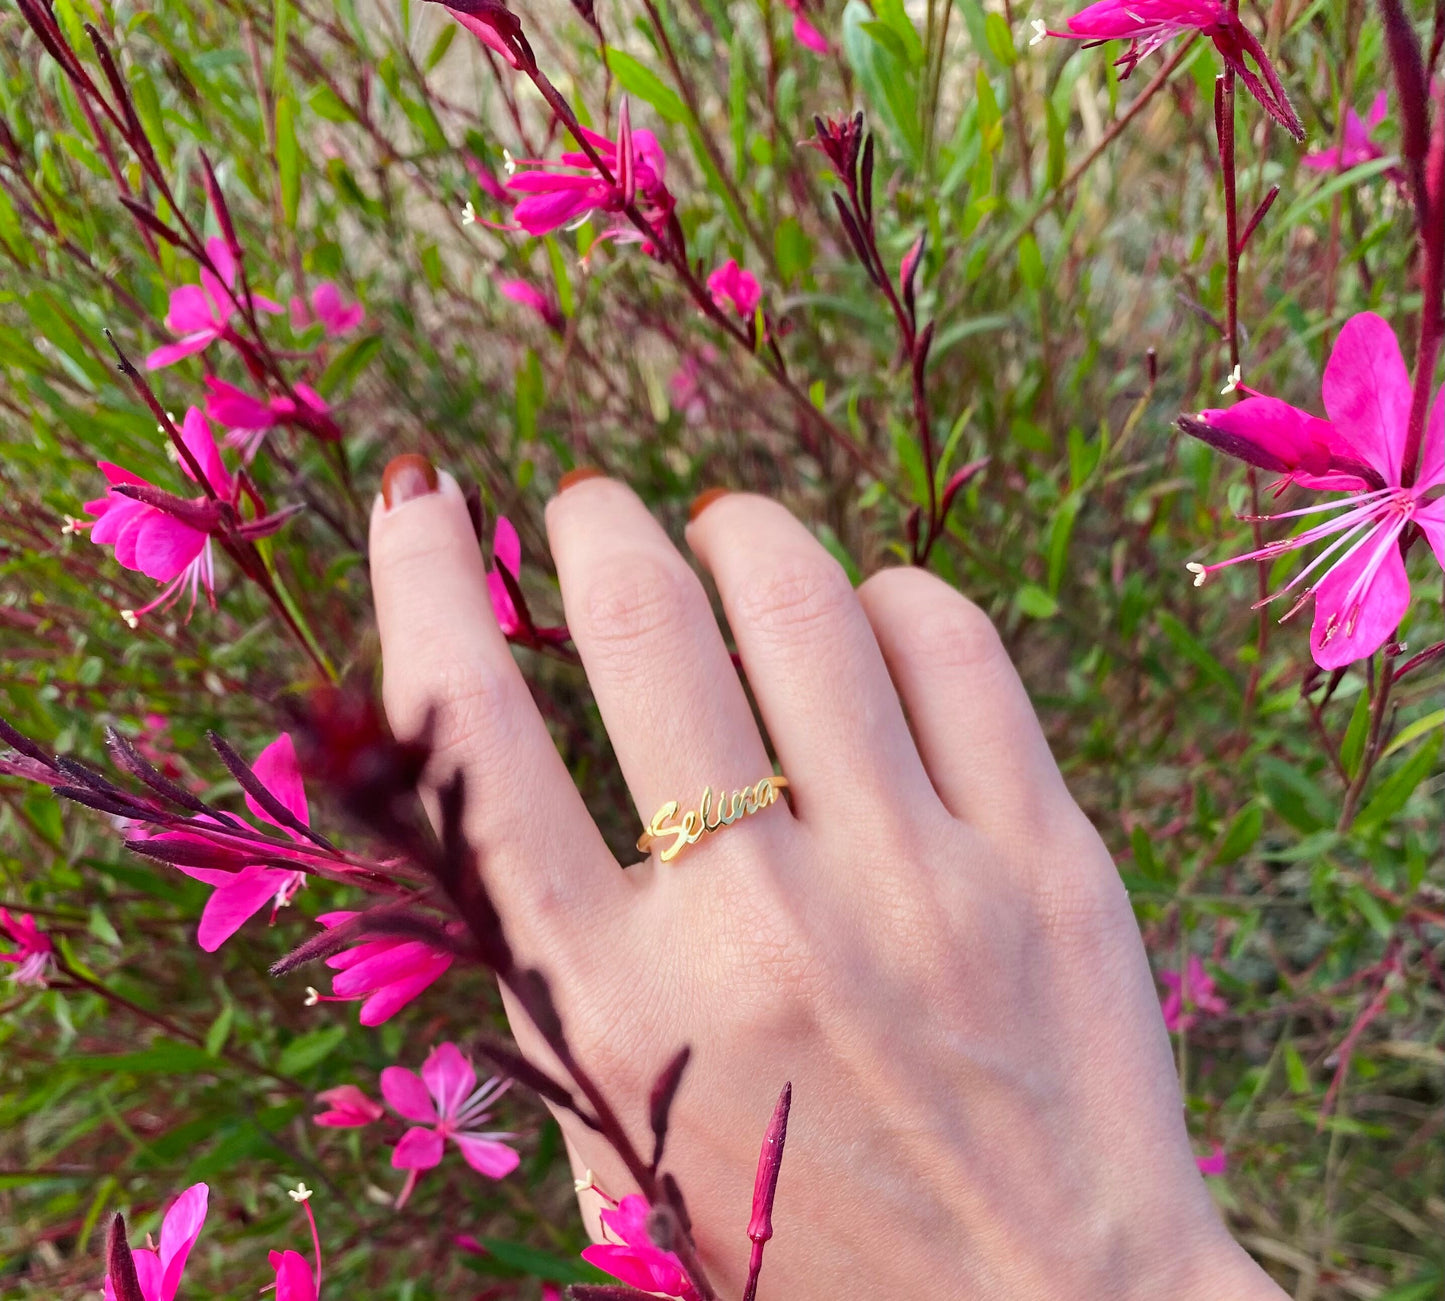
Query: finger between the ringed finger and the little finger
[{"x": 811, "y": 658}]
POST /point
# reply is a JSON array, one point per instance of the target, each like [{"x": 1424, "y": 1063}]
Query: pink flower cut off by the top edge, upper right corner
[{"x": 1149, "y": 24}]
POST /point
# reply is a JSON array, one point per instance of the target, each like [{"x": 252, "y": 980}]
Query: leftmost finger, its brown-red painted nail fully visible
[{"x": 443, "y": 651}]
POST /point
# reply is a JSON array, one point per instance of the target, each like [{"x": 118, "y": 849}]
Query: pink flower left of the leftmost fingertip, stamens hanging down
[{"x": 155, "y": 543}]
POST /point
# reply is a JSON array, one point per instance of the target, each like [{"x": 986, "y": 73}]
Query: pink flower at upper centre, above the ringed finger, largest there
[{"x": 560, "y": 194}]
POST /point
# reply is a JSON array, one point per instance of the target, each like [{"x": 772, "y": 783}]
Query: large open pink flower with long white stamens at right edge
[{"x": 1363, "y": 592}]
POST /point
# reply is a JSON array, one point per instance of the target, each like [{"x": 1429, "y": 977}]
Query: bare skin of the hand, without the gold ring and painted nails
[{"x": 927, "y": 937}]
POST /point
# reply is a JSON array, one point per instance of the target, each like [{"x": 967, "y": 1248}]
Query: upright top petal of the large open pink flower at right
[{"x": 1368, "y": 392}]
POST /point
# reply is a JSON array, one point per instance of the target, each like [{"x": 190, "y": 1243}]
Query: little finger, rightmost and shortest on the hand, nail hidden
[{"x": 979, "y": 737}]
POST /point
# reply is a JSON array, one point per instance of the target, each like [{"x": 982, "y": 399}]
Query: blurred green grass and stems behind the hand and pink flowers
[{"x": 1076, "y": 272}]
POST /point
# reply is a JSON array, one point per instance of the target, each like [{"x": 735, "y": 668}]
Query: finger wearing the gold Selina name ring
[{"x": 658, "y": 666}]
